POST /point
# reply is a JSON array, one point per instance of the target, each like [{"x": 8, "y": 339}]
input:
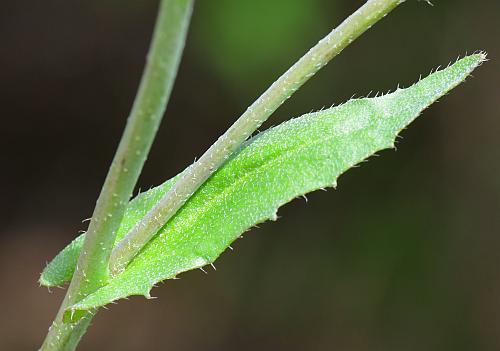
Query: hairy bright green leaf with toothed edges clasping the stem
[{"x": 294, "y": 158}]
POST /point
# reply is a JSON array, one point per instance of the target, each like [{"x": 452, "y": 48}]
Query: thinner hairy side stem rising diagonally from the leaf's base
[{"x": 330, "y": 46}]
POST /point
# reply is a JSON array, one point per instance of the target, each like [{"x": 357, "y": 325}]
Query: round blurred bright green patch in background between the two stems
[{"x": 247, "y": 41}]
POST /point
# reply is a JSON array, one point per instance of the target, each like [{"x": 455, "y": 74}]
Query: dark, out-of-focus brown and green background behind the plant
[{"x": 403, "y": 256}]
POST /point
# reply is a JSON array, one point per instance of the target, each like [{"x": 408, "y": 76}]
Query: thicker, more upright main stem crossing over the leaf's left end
[{"x": 149, "y": 106}]
